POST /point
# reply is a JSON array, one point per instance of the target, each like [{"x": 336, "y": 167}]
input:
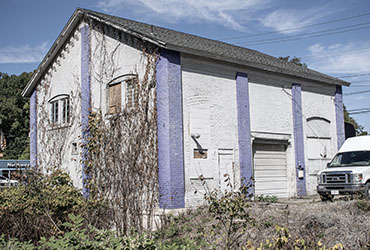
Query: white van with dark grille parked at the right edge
[{"x": 348, "y": 172}]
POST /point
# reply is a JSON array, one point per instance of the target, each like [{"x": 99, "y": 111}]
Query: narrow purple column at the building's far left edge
[{"x": 33, "y": 129}]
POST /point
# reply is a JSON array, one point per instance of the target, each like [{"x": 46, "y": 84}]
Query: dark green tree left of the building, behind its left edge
[{"x": 14, "y": 115}]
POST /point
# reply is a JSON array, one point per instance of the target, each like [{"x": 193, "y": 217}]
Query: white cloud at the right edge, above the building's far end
[{"x": 350, "y": 58}]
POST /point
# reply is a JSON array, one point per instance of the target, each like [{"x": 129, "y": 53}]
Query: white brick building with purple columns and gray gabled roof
[{"x": 220, "y": 108}]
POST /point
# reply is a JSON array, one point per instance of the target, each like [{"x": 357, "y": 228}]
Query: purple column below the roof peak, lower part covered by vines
[{"x": 85, "y": 99}]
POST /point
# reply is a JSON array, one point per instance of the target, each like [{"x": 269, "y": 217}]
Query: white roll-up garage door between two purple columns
[{"x": 270, "y": 170}]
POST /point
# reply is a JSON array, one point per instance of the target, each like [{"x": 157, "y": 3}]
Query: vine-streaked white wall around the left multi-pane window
[{"x": 55, "y": 139}]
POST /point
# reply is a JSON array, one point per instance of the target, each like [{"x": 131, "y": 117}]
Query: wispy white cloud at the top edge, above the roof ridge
[{"x": 229, "y": 13}]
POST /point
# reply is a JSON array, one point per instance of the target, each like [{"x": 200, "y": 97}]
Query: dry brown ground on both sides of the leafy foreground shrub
[{"x": 346, "y": 222}]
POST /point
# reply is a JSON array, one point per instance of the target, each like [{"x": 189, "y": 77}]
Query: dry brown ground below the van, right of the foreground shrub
[{"x": 331, "y": 222}]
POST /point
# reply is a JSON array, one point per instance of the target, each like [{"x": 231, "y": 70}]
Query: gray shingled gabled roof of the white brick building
[{"x": 187, "y": 43}]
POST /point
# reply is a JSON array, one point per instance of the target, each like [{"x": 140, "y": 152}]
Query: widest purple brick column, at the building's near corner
[{"x": 170, "y": 131}]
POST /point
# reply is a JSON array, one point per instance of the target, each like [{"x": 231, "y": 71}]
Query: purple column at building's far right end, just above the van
[{"x": 339, "y": 114}]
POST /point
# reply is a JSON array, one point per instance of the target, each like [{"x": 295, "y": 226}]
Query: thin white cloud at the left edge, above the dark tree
[{"x": 23, "y": 54}]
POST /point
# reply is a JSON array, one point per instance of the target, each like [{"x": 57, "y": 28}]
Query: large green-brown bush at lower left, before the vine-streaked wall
[{"x": 39, "y": 207}]
